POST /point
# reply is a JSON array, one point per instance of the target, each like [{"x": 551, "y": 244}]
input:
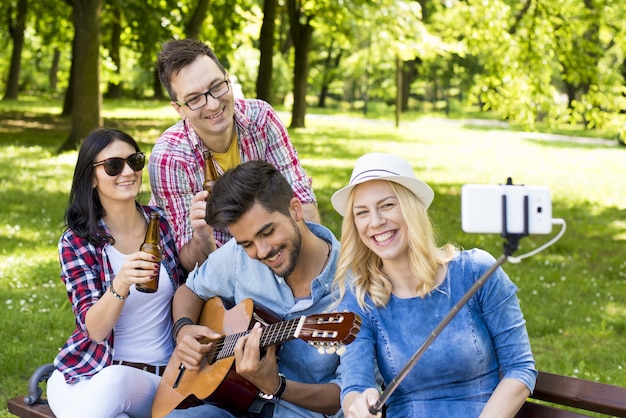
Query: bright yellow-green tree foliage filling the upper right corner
[{"x": 537, "y": 51}]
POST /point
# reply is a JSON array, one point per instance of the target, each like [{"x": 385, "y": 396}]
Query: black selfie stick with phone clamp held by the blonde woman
[{"x": 510, "y": 246}]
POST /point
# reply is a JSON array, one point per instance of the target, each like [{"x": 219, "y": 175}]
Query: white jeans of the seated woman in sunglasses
[{"x": 115, "y": 392}]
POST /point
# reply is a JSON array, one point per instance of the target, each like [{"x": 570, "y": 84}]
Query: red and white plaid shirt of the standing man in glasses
[{"x": 176, "y": 165}]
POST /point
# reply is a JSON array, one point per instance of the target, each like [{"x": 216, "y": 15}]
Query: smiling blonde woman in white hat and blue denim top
[{"x": 392, "y": 272}]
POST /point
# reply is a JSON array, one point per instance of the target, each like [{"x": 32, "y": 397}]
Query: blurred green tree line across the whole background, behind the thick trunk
[{"x": 528, "y": 61}]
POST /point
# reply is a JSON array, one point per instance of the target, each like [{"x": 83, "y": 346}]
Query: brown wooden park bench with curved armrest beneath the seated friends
[{"x": 559, "y": 391}]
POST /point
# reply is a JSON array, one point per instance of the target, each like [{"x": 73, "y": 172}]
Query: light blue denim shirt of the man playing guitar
[{"x": 231, "y": 274}]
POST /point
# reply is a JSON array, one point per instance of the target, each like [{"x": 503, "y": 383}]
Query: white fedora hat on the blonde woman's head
[{"x": 380, "y": 166}]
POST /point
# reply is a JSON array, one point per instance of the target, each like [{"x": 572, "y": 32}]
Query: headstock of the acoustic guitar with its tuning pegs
[{"x": 329, "y": 332}]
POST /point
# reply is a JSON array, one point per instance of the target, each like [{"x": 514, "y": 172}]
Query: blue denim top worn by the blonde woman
[{"x": 485, "y": 342}]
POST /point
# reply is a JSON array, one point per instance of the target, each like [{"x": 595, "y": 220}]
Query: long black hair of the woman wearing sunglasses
[{"x": 84, "y": 208}]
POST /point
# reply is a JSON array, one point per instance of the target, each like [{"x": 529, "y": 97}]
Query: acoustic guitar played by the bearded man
[{"x": 217, "y": 381}]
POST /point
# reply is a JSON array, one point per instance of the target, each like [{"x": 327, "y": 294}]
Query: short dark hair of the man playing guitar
[{"x": 241, "y": 187}]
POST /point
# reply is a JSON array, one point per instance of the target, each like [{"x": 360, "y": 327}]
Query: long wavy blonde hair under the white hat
[{"x": 425, "y": 257}]
